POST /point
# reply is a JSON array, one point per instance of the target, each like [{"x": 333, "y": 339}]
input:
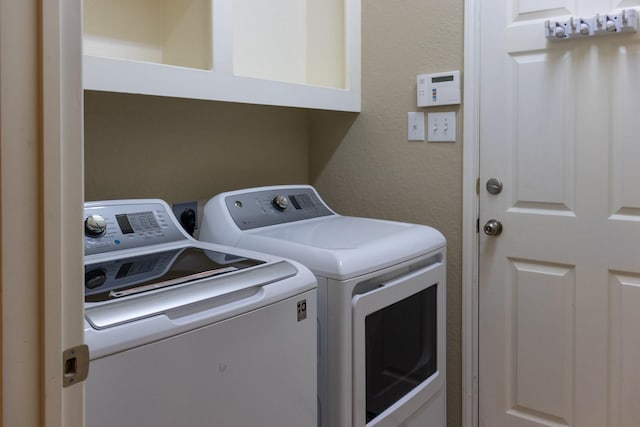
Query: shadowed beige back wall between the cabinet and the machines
[{"x": 180, "y": 150}]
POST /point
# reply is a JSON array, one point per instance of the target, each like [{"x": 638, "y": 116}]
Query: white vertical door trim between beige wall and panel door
[{"x": 470, "y": 215}]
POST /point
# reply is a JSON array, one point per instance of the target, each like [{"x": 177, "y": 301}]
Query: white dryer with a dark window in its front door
[{"x": 381, "y": 301}]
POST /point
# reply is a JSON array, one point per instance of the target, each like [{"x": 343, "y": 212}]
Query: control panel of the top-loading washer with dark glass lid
[{"x": 117, "y": 225}]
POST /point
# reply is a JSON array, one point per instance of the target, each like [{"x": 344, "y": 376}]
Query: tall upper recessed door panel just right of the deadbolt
[{"x": 541, "y": 84}]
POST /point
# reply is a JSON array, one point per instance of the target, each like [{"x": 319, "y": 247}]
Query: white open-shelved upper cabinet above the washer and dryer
[{"x": 298, "y": 53}]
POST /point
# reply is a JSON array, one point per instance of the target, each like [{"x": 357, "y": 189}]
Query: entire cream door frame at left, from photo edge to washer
[{"x": 41, "y": 194}]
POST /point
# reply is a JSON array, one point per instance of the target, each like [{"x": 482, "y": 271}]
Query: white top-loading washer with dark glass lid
[{"x": 185, "y": 333}]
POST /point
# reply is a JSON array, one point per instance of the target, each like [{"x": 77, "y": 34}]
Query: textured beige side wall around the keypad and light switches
[{"x": 363, "y": 165}]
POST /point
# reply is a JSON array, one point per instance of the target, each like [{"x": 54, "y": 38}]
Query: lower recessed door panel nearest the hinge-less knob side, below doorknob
[{"x": 542, "y": 340}]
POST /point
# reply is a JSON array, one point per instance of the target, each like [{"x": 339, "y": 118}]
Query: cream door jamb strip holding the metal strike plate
[{"x": 62, "y": 194}]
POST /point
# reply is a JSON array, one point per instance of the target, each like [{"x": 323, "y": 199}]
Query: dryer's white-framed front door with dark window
[{"x": 398, "y": 354}]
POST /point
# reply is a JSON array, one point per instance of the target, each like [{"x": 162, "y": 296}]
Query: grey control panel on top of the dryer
[{"x": 275, "y": 206}]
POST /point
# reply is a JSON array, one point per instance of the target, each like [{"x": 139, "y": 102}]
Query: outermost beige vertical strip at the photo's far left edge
[{"x": 20, "y": 265}]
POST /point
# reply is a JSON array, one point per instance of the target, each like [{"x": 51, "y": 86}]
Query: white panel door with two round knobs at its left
[{"x": 559, "y": 289}]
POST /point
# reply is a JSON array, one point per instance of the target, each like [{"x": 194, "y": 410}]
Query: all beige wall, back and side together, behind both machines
[{"x": 362, "y": 164}]
